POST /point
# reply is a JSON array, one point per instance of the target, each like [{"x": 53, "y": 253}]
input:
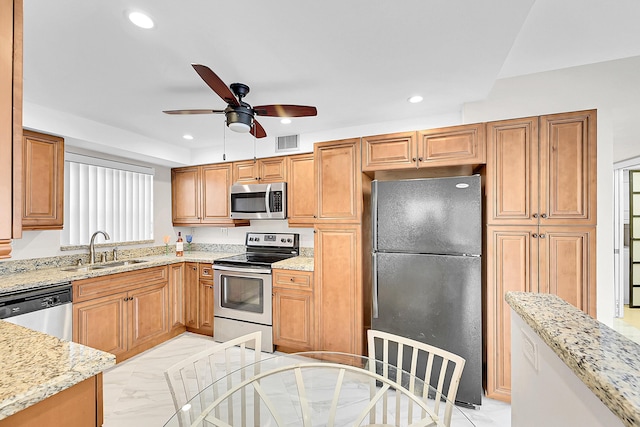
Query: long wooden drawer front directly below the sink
[{"x": 87, "y": 289}]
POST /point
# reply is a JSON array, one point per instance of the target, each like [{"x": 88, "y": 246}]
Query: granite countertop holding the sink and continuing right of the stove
[{"x": 44, "y": 277}]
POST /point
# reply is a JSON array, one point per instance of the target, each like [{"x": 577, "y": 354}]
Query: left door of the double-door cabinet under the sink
[{"x": 101, "y": 323}]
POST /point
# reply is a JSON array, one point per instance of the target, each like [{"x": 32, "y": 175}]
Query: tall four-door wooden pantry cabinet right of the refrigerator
[{"x": 541, "y": 222}]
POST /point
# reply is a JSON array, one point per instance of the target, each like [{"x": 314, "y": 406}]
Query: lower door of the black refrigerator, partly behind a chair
[{"x": 435, "y": 299}]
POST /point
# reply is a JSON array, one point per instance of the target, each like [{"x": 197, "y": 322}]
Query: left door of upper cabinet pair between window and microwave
[{"x": 185, "y": 195}]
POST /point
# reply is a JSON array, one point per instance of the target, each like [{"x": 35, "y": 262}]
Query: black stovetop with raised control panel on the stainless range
[{"x": 264, "y": 249}]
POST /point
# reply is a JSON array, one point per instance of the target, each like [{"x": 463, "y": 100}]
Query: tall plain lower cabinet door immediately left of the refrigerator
[{"x": 338, "y": 288}]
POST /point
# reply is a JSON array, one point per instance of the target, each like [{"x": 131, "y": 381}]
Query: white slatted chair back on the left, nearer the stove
[{"x": 198, "y": 374}]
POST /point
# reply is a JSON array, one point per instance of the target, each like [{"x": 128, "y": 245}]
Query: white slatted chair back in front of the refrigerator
[{"x": 440, "y": 368}]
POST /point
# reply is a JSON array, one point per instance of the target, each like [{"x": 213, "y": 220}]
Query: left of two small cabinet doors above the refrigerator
[{"x": 394, "y": 151}]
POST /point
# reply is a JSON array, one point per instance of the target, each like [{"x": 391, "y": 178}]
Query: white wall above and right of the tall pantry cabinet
[{"x": 609, "y": 87}]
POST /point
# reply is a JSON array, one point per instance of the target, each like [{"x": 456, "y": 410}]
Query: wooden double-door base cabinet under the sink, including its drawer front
[{"x": 124, "y": 313}]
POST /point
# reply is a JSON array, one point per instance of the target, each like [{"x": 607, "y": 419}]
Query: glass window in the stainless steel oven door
[{"x": 242, "y": 293}]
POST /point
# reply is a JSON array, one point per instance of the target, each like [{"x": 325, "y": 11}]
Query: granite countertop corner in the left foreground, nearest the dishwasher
[{"x": 35, "y": 366}]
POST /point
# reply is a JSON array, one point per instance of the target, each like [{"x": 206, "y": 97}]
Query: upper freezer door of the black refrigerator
[{"x": 437, "y": 215}]
